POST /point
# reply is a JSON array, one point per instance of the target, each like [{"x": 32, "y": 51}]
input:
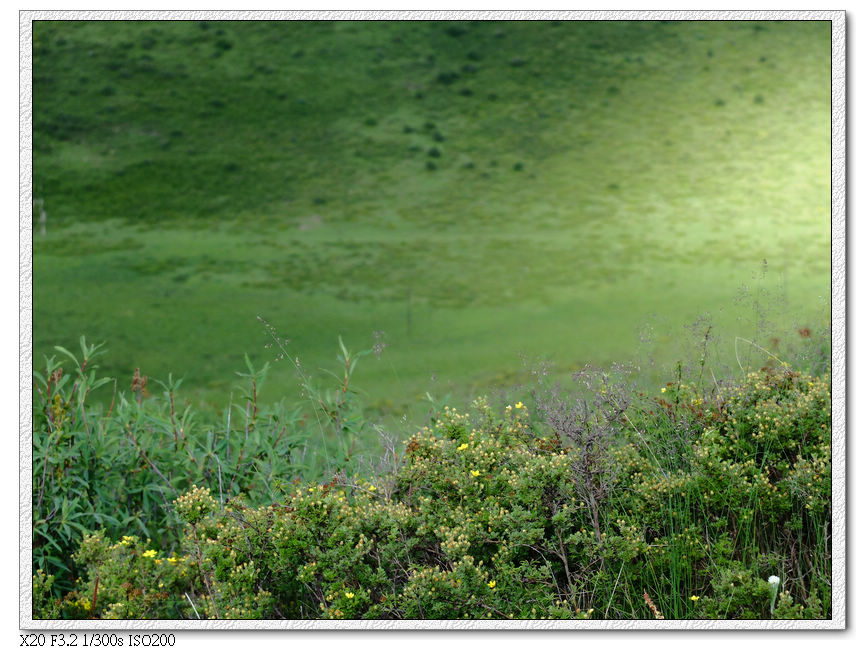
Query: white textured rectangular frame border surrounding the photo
[{"x": 838, "y": 319}]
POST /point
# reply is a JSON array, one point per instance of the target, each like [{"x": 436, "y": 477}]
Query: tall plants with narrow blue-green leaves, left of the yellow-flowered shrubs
[{"x": 118, "y": 470}]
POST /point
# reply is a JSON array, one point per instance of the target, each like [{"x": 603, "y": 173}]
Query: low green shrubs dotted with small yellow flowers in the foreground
[{"x": 600, "y": 503}]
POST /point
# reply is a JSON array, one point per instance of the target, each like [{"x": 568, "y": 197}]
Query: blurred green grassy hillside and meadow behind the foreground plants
[{"x": 478, "y": 196}]
